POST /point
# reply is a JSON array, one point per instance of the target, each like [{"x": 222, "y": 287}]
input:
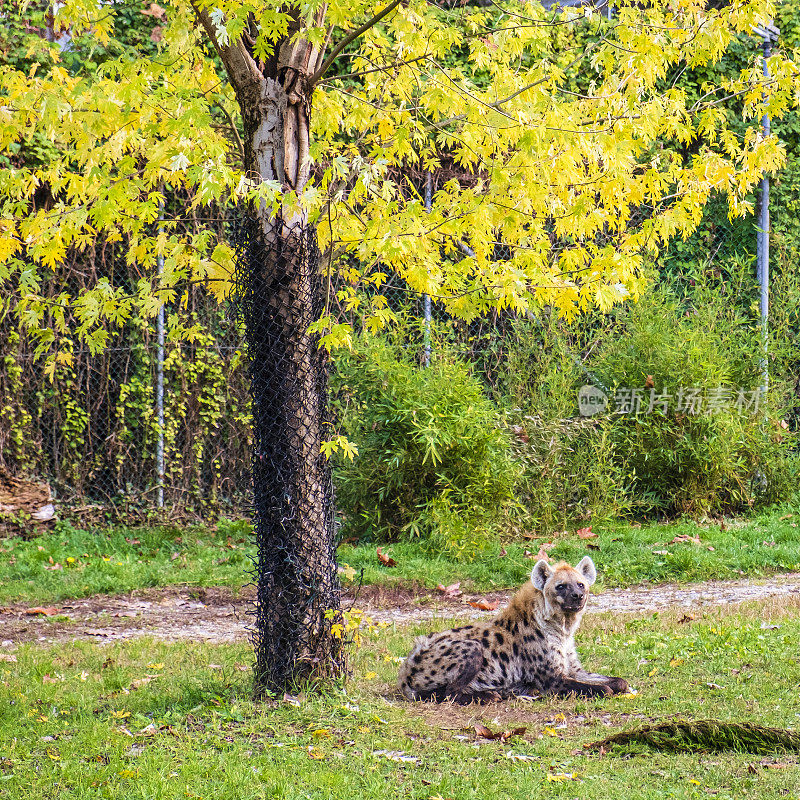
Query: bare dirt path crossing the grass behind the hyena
[{"x": 218, "y": 615}]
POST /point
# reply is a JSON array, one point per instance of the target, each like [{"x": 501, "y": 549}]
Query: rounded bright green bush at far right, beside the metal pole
[{"x": 685, "y": 463}]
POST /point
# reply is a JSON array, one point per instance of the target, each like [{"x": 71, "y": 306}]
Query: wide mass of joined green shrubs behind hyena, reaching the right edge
[{"x": 672, "y": 463}]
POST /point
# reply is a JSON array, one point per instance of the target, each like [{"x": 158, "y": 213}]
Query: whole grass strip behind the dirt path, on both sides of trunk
[{"x": 69, "y": 562}]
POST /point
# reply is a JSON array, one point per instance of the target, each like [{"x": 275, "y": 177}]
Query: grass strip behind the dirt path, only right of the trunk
[{"x": 625, "y": 554}]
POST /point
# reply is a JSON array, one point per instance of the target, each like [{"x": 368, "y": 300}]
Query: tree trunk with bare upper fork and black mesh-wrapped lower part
[{"x": 280, "y": 296}]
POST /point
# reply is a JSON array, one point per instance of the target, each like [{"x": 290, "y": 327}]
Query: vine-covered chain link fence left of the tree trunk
[{"x": 91, "y": 432}]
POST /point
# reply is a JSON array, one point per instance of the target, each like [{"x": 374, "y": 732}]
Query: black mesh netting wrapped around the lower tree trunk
[{"x": 278, "y": 295}]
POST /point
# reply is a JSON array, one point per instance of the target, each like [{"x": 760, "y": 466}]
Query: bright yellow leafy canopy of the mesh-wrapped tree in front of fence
[{"x": 547, "y": 125}]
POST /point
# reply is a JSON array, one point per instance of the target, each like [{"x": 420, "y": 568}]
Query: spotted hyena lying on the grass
[{"x": 529, "y": 648}]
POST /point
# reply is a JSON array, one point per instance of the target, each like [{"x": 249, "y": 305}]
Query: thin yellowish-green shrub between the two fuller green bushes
[{"x": 569, "y": 472}]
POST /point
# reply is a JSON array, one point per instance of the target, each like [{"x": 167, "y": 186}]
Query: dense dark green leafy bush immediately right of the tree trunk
[{"x": 432, "y": 459}]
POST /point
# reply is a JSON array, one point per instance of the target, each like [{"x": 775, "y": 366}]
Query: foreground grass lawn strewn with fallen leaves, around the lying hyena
[{"x": 146, "y": 719}]
